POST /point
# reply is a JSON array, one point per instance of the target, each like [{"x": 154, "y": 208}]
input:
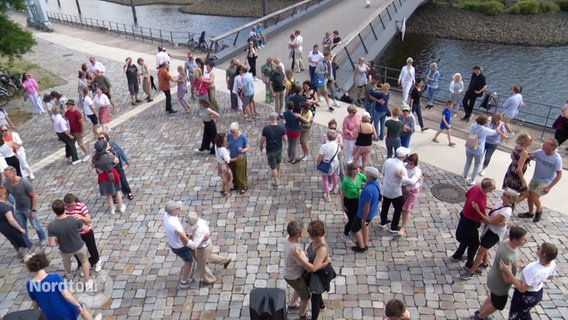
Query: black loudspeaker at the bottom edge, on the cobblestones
[{"x": 268, "y": 304}]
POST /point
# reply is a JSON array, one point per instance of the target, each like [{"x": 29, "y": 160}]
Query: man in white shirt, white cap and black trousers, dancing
[{"x": 393, "y": 171}]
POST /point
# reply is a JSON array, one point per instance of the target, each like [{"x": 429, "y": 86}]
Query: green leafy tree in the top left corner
[{"x": 14, "y": 41}]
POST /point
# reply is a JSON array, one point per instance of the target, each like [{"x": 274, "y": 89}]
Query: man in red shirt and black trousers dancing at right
[{"x": 467, "y": 233}]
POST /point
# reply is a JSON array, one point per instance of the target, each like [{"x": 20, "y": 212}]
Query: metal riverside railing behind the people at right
[{"x": 536, "y": 114}]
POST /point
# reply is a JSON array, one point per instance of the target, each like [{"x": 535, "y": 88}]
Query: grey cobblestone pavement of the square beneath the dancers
[{"x": 141, "y": 273}]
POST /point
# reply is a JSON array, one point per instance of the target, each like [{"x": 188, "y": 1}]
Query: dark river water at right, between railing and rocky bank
[{"x": 540, "y": 70}]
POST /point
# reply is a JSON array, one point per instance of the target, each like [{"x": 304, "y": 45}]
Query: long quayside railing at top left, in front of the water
[{"x": 154, "y": 35}]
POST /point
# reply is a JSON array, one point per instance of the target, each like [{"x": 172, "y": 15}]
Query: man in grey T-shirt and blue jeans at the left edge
[{"x": 26, "y": 201}]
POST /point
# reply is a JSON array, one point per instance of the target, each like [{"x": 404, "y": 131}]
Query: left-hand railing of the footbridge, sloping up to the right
[{"x": 237, "y": 37}]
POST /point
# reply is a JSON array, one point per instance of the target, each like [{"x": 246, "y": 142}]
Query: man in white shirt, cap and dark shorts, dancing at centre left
[{"x": 177, "y": 239}]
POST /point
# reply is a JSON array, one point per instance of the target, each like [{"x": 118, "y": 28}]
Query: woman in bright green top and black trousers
[{"x": 350, "y": 190}]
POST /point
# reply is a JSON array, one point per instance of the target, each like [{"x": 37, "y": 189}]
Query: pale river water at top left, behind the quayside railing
[{"x": 165, "y": 17}]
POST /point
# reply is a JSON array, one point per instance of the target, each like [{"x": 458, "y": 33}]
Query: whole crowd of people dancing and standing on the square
[{"x": 342, "y": 161}]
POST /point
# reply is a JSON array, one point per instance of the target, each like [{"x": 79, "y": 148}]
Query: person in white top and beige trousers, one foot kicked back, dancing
[{"x": 202, "y": 247}]
